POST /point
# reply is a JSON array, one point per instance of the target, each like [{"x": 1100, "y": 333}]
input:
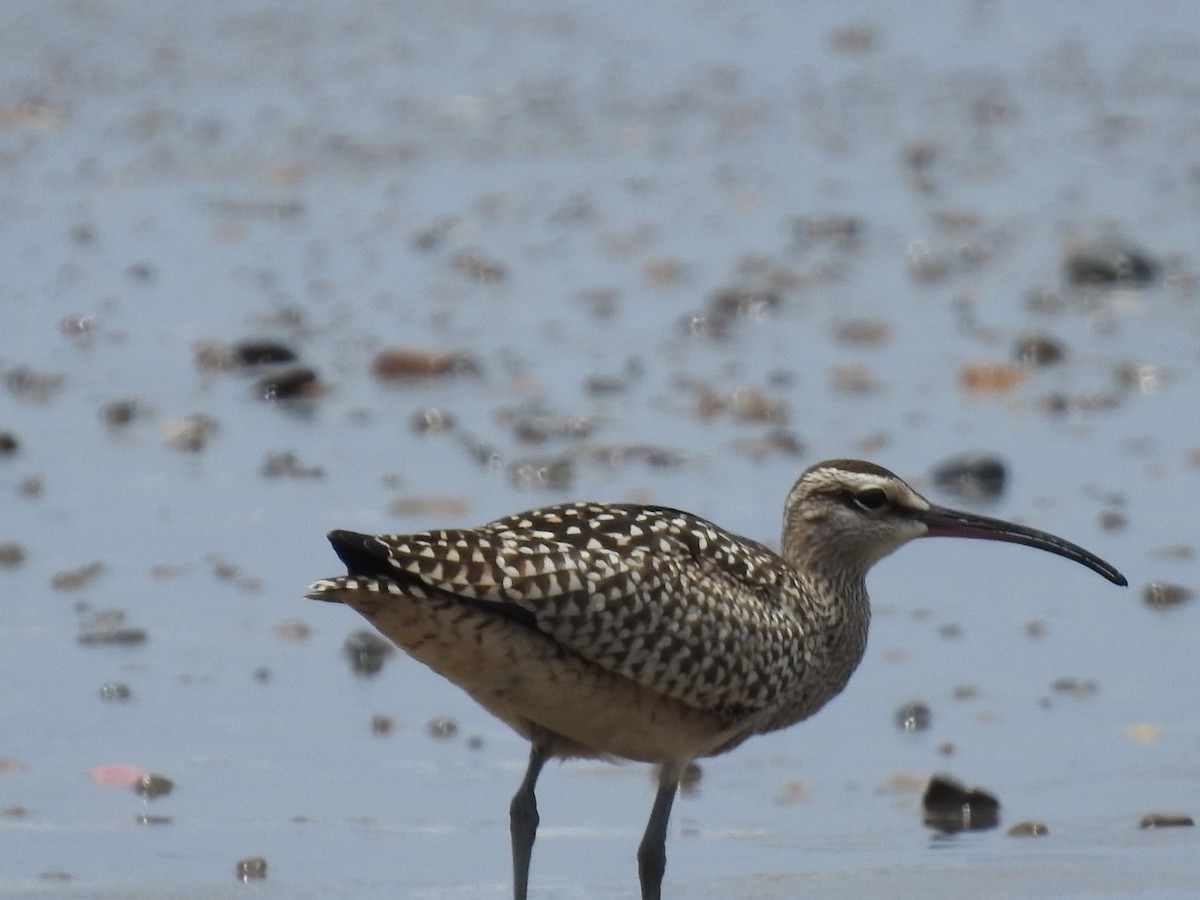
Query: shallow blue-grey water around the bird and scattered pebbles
[{"x": 341, "y": 179}]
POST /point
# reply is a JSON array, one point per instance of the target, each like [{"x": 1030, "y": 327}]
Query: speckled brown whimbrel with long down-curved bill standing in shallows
[{"x": 644, "y": 633}]
